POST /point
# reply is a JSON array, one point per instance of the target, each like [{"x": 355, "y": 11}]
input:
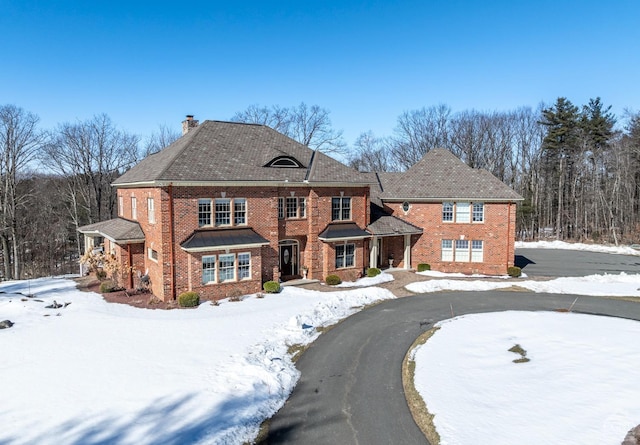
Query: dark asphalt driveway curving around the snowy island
[{"x": 350, "y": 390}]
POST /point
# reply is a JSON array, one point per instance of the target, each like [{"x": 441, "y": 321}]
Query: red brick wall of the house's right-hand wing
[{"x": 497, "y": 233}]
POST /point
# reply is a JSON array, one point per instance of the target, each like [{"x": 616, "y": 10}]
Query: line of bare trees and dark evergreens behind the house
[{"x": 577, "y": 170}]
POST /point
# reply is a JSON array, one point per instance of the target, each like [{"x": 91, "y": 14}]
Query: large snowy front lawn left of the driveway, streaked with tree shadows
[{"x": 95, "y": 372}]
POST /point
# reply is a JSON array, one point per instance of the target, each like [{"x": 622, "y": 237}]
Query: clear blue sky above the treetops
[{"x": 151, "y": 63}]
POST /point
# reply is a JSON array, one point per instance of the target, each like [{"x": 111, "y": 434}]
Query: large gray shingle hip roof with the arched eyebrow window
[{"x": 230, "y": 152}]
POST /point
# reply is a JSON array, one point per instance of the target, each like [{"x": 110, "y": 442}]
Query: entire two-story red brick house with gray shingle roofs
[{"x": 230, "y": 205}]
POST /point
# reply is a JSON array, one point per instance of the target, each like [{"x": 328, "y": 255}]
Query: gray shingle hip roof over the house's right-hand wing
[{"x": 440, "y": 175}]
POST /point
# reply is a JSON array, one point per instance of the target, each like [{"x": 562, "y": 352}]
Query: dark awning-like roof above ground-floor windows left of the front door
[{"x": 204, "y": 240}]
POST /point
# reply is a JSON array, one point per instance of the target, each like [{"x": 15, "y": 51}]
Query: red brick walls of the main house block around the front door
[{"x": 262, "y": 216}]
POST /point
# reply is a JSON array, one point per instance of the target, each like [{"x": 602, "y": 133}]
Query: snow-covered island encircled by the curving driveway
[{"x": 579, "y": 387}]
